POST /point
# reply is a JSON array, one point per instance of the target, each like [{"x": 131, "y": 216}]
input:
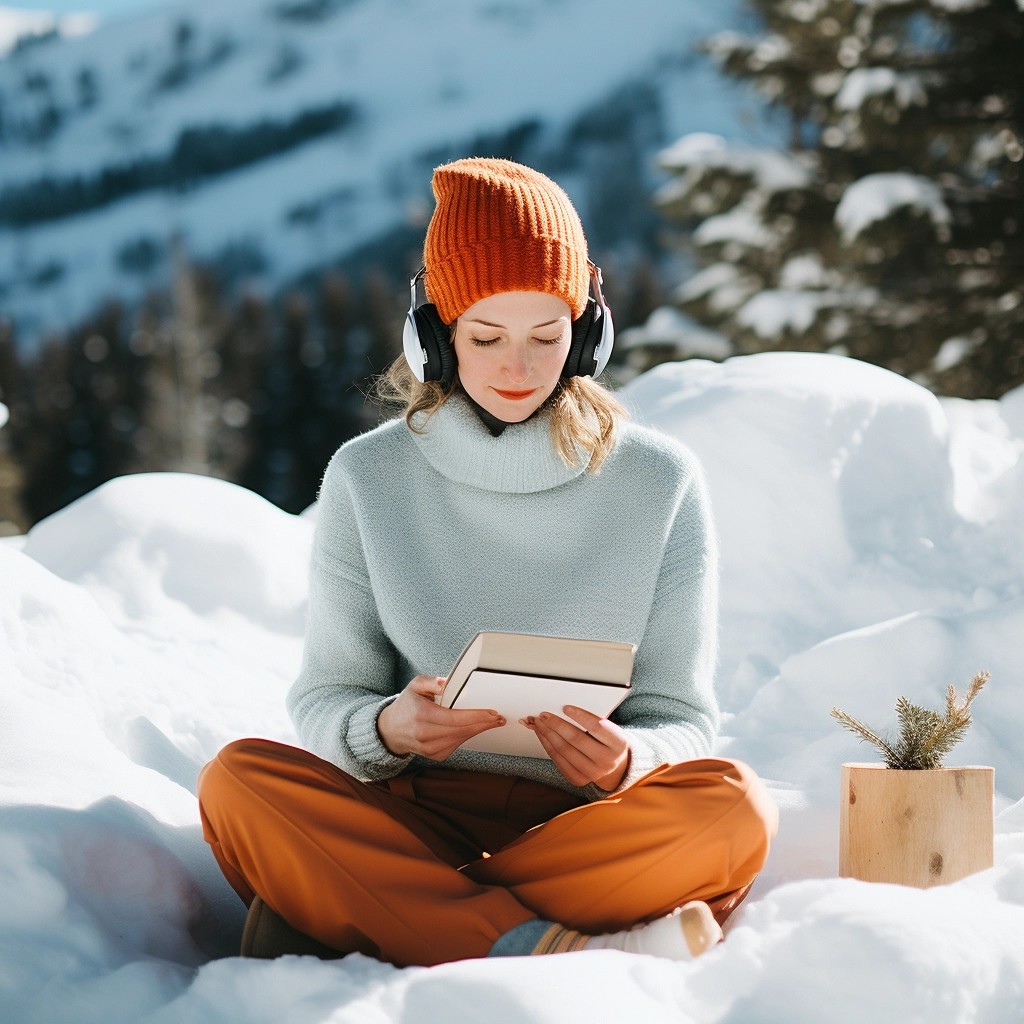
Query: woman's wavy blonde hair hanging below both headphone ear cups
[{"x": 585, "y": 415}]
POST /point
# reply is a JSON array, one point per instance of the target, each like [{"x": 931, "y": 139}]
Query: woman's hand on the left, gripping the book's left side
[{"x": 413, "y": 723}]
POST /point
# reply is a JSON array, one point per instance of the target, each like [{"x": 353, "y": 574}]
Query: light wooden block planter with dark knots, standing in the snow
[{"x": 915, "y": 828}]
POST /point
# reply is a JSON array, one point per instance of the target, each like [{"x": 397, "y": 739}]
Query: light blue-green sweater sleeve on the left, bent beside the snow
[{"x": 349, "y": 664}]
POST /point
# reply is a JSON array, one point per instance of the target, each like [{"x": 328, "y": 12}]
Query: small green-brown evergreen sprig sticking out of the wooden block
[{"x": 926, "y": 737}]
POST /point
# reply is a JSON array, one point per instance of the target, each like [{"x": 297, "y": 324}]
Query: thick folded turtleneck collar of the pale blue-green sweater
[{"x": 458, "y": 444}]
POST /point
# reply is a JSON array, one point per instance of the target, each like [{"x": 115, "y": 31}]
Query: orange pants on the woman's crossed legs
[{"x": 435, "y": 866}]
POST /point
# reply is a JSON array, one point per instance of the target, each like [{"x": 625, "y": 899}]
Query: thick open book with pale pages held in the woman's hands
[{"x": 521, "y": 674}]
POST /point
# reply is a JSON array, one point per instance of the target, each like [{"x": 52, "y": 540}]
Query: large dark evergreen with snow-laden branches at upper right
[{"x": 893, "y": 229}]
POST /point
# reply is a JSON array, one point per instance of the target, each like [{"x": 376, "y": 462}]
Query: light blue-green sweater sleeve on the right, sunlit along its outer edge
[{"x": 672, "y": 714}]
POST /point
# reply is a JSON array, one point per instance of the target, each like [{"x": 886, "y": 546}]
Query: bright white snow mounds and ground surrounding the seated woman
[{"x": 872, "y": 546}]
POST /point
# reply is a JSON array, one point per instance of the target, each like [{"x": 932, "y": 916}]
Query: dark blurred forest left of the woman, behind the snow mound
[{"x": 255, "y": 391}]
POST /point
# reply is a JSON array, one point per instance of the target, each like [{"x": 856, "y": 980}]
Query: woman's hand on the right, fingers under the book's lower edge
[{"x": 602, "y": 754}]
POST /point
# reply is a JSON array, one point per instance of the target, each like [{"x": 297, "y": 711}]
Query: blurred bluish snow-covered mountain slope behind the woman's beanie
[{"x": 277, "y": 137}]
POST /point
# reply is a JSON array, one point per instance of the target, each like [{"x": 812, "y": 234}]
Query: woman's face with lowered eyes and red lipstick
[{"x": 511, "y": 349}]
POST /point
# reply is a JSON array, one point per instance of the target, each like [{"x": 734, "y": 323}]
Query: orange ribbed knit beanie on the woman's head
[{"x": 500, "y": 227}]
